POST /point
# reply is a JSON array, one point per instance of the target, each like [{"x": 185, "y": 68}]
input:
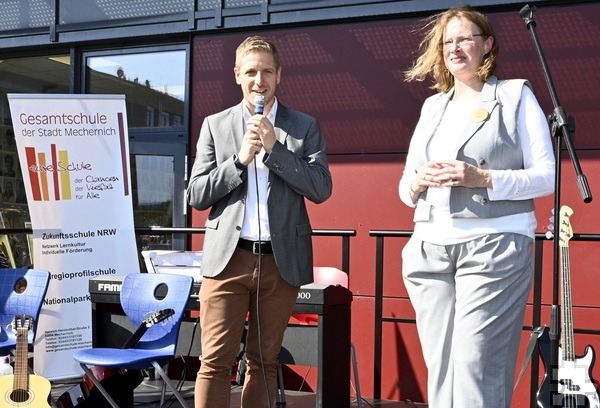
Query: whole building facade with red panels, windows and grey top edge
[{"x": 343, "y": 62}]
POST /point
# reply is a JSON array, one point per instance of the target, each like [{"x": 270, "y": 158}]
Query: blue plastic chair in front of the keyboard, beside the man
[{"x": 142, "y": 295}]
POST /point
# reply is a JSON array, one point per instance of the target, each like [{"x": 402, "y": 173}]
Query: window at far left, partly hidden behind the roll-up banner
[{"x": 39, "y": 75}]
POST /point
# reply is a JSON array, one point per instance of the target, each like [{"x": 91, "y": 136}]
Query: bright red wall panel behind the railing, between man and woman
[{"x": 365, "y": 197}]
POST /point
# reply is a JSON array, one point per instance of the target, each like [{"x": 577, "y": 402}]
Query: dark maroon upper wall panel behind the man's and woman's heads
[{"x": 350, "y": 76}]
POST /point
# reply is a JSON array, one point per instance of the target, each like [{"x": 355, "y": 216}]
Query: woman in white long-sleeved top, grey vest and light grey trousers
[{"x": 480, "y": 154}]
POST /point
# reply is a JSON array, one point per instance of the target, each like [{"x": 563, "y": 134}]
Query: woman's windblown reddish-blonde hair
[{"x": 431, "y": 60}]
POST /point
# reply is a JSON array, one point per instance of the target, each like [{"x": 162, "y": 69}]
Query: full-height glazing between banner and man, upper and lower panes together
[{"x": 154, "y": 85}]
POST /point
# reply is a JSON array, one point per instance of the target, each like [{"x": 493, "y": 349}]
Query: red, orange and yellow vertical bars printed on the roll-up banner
[{"x": 38, "y": 174}]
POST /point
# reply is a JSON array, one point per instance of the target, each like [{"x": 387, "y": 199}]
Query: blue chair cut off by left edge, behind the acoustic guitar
[{"x": 22, "y": 292}]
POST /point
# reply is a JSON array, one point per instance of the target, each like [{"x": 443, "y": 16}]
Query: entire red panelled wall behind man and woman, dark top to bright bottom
[{"x": 350, "y": 77}]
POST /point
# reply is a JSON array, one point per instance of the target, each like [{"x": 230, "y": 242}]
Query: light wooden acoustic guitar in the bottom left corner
[{"x": 22, "y": 389}]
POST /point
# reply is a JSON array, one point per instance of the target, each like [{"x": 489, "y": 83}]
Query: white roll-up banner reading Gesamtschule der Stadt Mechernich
[{"x": 74, "y": 156}]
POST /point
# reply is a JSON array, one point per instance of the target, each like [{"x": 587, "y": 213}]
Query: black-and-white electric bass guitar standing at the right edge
[{"x": 575, "y": 388}]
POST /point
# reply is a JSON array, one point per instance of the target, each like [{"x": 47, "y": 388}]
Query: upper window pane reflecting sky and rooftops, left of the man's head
[{"x": 153, "y": 83}]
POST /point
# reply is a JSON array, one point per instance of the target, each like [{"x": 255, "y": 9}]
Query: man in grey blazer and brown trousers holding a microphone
[{"x": 254, "y": 170}]
